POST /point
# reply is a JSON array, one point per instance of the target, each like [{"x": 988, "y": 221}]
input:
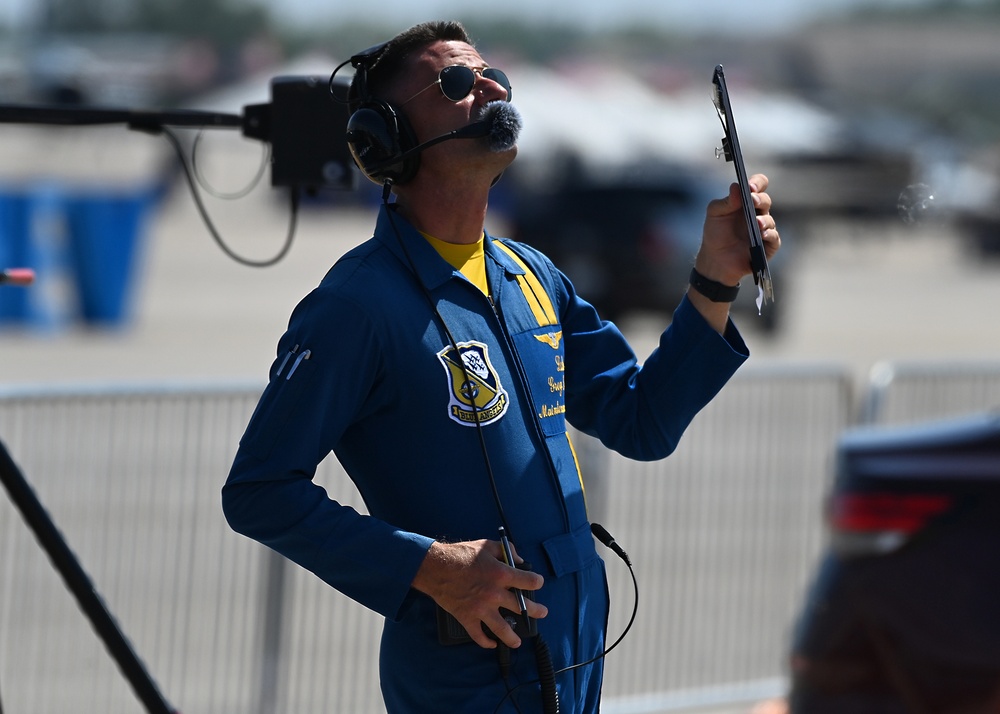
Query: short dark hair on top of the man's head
[{"x": 390, "y": 63}]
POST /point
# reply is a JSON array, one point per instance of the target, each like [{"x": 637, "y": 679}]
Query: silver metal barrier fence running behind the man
[{"x": 723, "y": 536}]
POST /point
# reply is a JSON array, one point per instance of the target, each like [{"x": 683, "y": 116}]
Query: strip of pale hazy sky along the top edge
[{"x": 762, "y": 16}]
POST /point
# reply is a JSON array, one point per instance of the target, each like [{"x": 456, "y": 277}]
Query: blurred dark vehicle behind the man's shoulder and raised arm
[{"x": 627, "y": 238}]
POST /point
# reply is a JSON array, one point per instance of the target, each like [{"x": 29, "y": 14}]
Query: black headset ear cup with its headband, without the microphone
[{"x": 379, "y": 134}]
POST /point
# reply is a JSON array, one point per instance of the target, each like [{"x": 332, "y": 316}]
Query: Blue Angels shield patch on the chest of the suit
[{"x": 475, "y": 392}]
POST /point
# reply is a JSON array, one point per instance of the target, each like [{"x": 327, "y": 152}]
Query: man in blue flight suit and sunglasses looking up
[{"x": 441, "y": 366}]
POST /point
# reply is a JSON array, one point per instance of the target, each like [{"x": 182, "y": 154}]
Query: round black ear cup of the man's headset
[{"x": 377, "y": 136}]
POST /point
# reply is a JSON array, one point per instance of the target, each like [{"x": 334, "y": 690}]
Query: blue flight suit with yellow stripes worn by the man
[{"x": 369, "y": 370}]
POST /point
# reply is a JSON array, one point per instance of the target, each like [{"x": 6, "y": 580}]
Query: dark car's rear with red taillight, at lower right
[{"x": 904, "y": 612}]
